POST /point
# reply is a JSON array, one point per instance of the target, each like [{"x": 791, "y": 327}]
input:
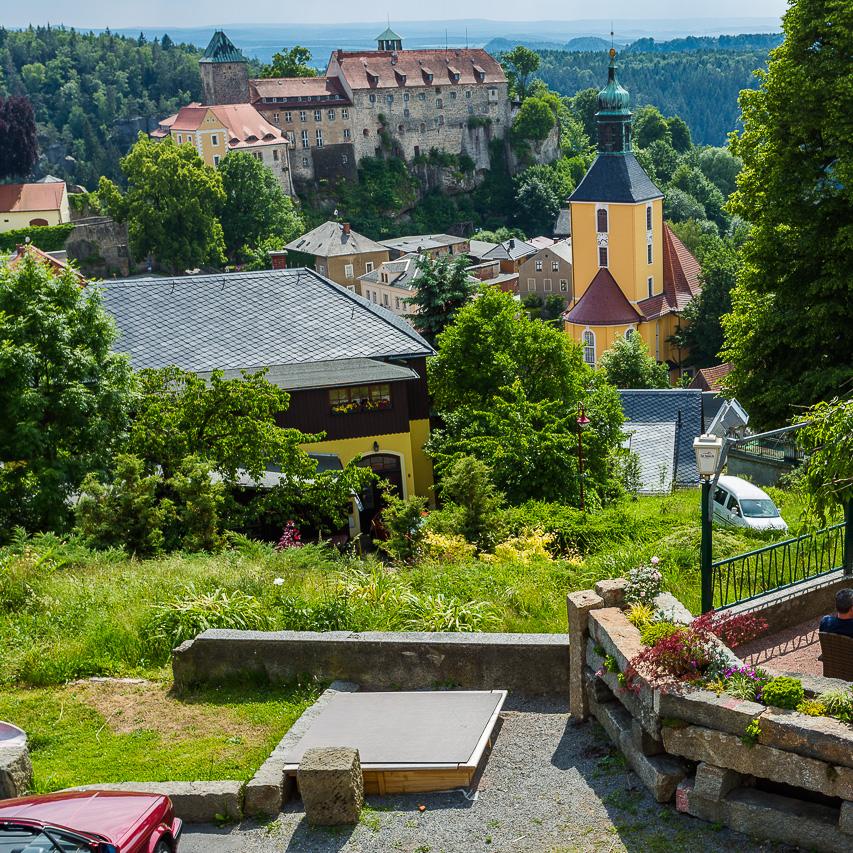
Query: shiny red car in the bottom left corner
[{"x": 89, "y": 822}]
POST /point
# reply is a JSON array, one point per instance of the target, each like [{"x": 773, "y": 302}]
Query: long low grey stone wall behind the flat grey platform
[{"x": 525, "y": 663}]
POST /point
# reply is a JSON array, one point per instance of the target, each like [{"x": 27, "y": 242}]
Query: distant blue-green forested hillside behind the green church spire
[{"x": 701, "y": 86}]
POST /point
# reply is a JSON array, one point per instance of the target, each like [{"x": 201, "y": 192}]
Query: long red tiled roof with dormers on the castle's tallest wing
[{"x": 382, "y": 69}]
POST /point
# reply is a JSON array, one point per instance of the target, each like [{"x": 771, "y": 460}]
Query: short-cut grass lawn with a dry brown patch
[{"x": 96, "y": 732}]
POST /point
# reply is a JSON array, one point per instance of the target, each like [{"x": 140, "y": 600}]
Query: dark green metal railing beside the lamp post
[{"x": 782, "y": 564}]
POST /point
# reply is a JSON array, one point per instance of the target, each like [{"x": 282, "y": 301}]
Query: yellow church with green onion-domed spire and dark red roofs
[{"x": 630, "y": 273}]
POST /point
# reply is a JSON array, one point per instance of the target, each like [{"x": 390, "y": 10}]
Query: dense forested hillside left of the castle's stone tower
[{"x": 92, "y": 93}]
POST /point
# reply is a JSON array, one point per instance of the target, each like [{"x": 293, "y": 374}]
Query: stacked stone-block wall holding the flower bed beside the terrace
[{"x": 794, "y": 785}]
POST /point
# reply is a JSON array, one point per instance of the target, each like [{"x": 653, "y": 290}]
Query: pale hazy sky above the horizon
[{"x": 193, "y": 13}]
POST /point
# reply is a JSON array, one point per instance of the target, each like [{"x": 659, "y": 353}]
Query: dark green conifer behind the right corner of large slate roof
[{"x": 443, "y": 287}]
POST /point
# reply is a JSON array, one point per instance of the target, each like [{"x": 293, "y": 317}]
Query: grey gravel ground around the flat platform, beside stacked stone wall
[{"x": 548, "y": 786}]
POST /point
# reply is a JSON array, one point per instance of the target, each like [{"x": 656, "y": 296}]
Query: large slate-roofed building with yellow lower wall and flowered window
[{"x": 354, "y": 370}]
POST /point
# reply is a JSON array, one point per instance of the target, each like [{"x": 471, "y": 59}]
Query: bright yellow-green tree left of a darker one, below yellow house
[{"x": 170, "y": 205}]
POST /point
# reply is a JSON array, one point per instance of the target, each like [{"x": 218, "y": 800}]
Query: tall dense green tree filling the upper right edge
[{"x": 796, "y": 190}]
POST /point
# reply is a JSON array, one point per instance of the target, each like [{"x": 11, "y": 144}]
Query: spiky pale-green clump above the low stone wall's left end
[{"x": 185, "y": 617}]
